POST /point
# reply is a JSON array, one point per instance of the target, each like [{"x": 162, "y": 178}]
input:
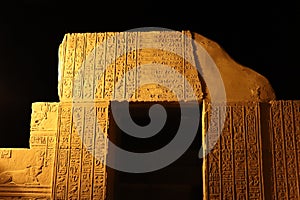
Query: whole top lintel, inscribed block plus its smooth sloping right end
[{"x": 119, "y": 53}]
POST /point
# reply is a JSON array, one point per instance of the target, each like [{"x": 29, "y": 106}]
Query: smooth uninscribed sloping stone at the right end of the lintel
[{"x": 241, "y": 83}]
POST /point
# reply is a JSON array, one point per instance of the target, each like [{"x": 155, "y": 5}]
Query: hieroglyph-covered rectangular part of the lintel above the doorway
[{"x": 115, "y": 66}]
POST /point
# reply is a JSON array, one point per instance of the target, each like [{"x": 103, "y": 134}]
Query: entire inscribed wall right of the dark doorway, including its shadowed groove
[{"x": 257, "y": 155}]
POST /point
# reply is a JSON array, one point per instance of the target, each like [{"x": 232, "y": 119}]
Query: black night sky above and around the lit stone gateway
[{"x": 262, "y": 37}]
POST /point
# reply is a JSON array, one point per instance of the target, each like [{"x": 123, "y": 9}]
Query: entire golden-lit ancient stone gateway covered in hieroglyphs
[{"x": 256, "y": 157}]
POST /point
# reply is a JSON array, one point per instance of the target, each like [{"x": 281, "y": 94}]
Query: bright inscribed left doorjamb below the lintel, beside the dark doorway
[{"x": 80, "y": 172}]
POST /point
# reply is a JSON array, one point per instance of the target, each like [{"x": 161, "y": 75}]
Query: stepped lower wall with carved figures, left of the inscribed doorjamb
[{"x": 28, "y": 173}]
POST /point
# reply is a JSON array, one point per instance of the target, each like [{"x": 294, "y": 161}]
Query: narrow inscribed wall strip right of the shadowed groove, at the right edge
[{"x": 285, "y": 144}]
